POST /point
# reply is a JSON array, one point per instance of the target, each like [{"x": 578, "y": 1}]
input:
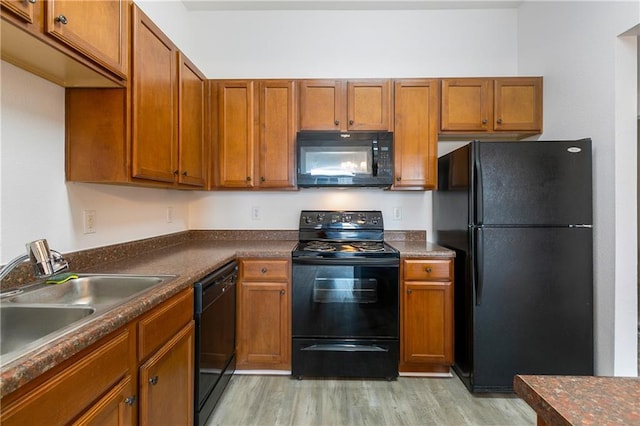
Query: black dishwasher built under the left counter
[{"x": 215, "y": 318}]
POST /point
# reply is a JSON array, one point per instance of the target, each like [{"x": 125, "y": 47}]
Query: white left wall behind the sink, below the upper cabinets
[{"x": 35, "y": 200}]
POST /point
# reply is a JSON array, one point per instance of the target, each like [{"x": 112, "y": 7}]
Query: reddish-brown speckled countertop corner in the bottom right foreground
[{"x": 581, "y": 400}]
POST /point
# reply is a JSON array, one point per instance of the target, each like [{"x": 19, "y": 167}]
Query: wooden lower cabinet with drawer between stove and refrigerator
[{"x": 426, "y": 322}]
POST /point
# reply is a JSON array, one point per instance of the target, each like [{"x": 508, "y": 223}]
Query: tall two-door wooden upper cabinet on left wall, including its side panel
[{"x": 152, "y": 133}]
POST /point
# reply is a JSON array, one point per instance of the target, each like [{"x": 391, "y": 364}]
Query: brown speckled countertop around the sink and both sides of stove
[{"x": 190, "y": 256}]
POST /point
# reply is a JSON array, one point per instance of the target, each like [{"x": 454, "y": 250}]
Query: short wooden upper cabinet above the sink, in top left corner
[{"x": 71, "y": 43}]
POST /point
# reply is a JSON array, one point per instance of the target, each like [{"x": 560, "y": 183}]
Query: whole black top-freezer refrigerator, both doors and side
[{"x": 519, "y": 217}]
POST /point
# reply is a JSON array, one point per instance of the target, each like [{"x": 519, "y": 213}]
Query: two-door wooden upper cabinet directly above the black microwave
[{"x": 341, "y": 105}]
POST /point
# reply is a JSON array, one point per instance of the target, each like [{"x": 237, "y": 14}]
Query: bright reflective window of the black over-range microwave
[{"x": 336, "y": 160}]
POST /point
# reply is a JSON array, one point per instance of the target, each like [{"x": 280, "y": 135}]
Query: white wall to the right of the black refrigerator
[{"x": 589, "y": 91}]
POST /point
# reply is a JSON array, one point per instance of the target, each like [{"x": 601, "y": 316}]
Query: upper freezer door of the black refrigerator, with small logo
[{"x": 531, "y": 183}]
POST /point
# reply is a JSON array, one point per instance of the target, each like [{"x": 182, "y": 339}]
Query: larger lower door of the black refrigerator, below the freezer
[{"x": 535, "y": 315}]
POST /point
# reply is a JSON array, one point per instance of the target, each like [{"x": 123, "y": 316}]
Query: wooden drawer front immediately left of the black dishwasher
[{"x": 164, "y": 322}]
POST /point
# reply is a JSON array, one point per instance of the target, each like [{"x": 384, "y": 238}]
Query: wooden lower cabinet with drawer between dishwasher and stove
[{"x": 264, "y": 325}]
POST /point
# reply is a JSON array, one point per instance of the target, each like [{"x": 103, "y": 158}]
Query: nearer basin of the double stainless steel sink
[{"x": 21, "y": 325}]
